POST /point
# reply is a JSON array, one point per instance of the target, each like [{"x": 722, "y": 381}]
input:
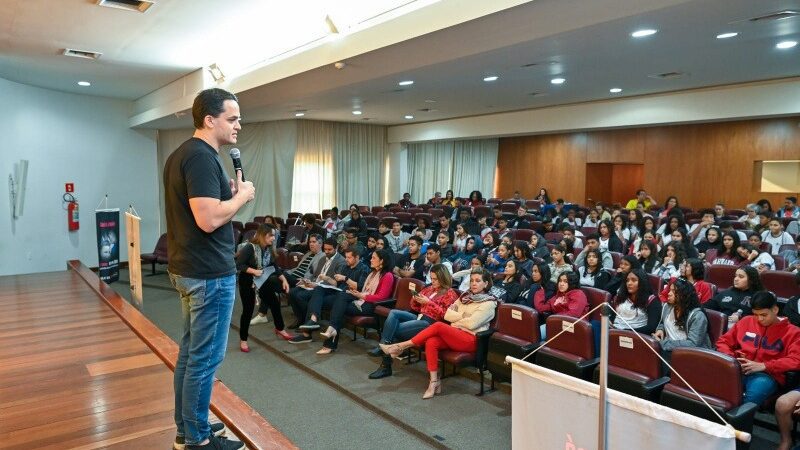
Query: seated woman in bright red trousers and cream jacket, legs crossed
[{"x": 468, "y": 315}]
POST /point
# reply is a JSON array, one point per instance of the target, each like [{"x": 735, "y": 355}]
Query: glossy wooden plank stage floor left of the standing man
[{"x": 72, "y": 374}]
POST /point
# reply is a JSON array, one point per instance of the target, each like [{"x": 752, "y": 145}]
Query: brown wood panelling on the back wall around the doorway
[{"x": 699, "y": 163}]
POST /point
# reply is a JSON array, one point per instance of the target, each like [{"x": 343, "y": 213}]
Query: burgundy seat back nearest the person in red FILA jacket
[{"x": 724, "y": 389}]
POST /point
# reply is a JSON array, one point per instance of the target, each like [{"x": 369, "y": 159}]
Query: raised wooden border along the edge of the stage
[{"x": 245, "y": 422}]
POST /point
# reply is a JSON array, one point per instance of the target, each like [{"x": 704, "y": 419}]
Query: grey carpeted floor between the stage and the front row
[{"x": 328, "y": 401}]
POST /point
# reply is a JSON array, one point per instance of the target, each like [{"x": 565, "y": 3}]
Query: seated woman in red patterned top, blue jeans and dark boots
[{"x": 427, "y": 307}]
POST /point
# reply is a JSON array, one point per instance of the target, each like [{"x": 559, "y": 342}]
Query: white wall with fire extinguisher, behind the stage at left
[{"x": 79, "y": 139}]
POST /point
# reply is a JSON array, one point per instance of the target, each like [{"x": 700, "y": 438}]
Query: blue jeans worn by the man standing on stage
[{"x": 206, "y": 308}]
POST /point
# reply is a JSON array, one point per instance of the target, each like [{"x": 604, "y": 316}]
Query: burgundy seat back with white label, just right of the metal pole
[{"x": 627, "y": 351}]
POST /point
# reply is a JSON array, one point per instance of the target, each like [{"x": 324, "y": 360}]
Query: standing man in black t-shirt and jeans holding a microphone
[{"x": 200, "y": 202}]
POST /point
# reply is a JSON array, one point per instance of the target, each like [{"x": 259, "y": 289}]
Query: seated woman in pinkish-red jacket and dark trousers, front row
[{"x": 377, "y": 287}]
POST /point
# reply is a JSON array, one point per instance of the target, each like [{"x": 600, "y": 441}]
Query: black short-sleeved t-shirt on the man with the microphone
[{"x": 195, "y": 170}]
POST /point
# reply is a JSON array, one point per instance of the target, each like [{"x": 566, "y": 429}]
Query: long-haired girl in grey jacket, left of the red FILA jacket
[{"x": 683, "y": 322}]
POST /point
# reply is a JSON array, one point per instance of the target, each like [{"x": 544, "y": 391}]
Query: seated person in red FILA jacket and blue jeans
[{"x": 766, "y": 346}]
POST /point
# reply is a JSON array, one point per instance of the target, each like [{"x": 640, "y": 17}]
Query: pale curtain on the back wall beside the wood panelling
[{"x": 463, "y": 166}]
